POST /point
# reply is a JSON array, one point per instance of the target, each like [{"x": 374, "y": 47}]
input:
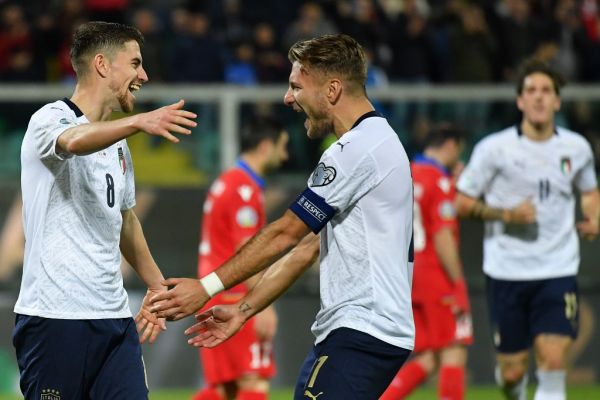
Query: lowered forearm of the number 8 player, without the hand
[{"x": 134, "y": 247}]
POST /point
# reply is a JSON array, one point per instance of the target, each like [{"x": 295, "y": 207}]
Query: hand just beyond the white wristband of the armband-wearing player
[{"x": 185, "y": 298}]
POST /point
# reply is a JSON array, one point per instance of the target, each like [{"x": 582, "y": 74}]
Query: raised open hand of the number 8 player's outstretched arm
[{"x": 167, "y": 120}]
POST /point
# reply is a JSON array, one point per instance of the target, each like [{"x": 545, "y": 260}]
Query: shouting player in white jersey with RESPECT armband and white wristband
[{"x": 359, "y": 197}]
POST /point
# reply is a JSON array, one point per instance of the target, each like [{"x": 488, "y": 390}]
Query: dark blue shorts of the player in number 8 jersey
[{"x": 79, "y": 359}]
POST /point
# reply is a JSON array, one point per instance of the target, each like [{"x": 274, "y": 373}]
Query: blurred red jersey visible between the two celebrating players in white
[{"x": 233, "y": 212}]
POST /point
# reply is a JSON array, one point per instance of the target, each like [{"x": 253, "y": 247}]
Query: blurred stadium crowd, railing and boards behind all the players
[{"x": 431, "y": 61}]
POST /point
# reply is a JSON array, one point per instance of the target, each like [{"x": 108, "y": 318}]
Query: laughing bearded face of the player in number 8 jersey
[{"x": 126, "y": 75}]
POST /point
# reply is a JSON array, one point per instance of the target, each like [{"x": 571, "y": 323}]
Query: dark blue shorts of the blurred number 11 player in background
[{"x": 522, "y": 310}]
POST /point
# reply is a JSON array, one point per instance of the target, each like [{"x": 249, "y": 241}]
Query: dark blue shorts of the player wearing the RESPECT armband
[{"x": 347, "y": 365}]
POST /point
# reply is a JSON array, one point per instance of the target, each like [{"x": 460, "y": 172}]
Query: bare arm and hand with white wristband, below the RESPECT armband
[{"x": 262, "y": 250}]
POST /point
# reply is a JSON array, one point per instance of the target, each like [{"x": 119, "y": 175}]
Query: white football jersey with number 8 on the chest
[{"x": 72, "y": 219}]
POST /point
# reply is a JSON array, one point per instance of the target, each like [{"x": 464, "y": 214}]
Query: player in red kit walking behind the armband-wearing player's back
[{"x": 439, "y": 294}]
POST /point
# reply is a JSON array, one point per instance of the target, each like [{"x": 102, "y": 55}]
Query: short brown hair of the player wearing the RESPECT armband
[{"x": 333, "y": 54}]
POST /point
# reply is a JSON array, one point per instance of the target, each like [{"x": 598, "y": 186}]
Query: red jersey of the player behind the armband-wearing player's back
[{"x": 434, "y": 209}]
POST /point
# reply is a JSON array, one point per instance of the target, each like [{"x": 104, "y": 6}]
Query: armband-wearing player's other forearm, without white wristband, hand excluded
[{"x": 280, "y": 276}]
